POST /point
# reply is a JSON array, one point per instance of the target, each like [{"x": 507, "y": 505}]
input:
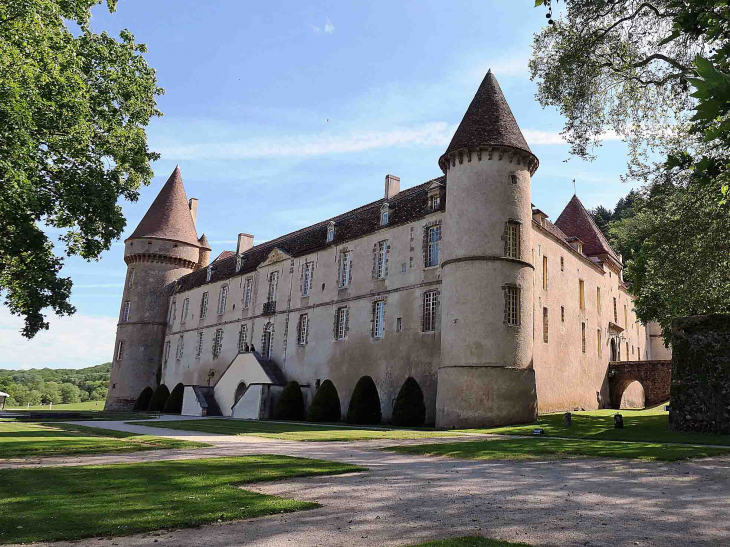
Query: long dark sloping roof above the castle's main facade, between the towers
[{"x": 407, "y": 206}]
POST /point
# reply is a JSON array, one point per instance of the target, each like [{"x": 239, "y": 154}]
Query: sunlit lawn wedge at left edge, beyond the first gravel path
[{"x": 23, "y": 440}]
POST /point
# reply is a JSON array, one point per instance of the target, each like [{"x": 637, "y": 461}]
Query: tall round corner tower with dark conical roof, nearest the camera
[{"x": 486, "y": 376}]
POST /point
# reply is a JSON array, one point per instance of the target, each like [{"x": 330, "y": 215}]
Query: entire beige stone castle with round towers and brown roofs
[{"x": 459, "y": 282}]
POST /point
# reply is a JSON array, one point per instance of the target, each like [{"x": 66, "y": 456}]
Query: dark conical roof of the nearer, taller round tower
[{"x": 488, "y": 121}]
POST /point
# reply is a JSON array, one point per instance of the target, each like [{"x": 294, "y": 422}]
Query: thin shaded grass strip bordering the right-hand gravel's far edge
[{"x": 541, "y": 448}]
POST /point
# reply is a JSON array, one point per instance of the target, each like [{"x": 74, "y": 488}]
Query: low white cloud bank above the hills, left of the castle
[{"x": 76, "y": 341}]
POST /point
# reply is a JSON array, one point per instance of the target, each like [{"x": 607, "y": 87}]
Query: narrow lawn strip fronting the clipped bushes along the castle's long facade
[{"x": 296, "y": 432}]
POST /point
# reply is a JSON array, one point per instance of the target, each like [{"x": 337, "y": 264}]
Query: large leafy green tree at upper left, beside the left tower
[{"x": 73, "y": 111}]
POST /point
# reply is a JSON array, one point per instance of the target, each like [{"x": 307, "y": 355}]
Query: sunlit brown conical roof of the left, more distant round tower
[{"x": 169, "y": 215}]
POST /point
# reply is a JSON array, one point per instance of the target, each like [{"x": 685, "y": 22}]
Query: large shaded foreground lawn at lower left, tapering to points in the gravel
[{"x": 65, "y": 503}]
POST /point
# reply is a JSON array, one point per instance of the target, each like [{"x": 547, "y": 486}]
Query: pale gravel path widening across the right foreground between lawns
[{"x": 406, "y": 499}]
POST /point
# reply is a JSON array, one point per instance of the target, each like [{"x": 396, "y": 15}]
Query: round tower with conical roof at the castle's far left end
[{"x": 163, "y": 248}]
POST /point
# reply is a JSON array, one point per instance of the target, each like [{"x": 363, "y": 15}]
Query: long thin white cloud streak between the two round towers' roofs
[{"x": 429, "y": 134}]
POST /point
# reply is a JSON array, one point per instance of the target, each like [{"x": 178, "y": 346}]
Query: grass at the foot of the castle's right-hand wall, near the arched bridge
[{"x": 650, "y": 425}]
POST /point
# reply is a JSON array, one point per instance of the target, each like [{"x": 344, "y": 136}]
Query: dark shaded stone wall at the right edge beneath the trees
[{"x": 701, "y": 374}]
